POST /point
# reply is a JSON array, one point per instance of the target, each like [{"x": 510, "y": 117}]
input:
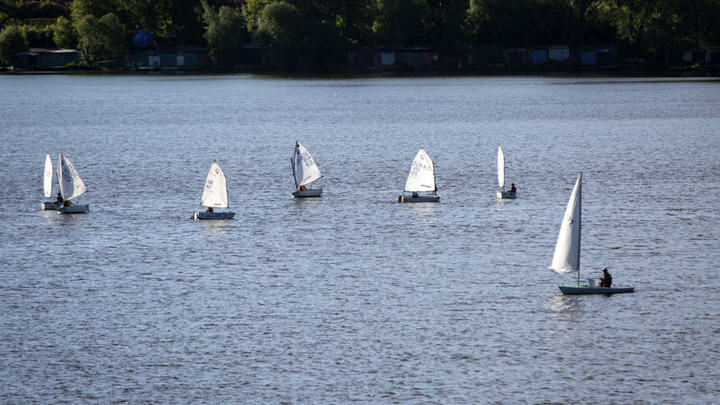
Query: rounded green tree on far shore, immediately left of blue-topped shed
[{"x": 100, "y": 38}]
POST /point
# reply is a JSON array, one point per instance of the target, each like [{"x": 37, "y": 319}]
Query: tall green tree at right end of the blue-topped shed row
[{"x": 224, "y": 33}]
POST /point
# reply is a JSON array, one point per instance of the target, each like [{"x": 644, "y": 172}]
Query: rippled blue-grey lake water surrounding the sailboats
[{"x": 353, "y": 297}]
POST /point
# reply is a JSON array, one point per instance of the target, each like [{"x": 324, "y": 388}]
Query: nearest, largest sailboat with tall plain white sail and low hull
[{"x": 566, "y": 259}]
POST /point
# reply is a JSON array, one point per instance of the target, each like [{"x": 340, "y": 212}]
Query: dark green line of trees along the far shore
[{"x": 319, "y": 32}]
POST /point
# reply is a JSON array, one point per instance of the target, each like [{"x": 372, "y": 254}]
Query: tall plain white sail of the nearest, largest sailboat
[{"x": 567, "y": 250}]
